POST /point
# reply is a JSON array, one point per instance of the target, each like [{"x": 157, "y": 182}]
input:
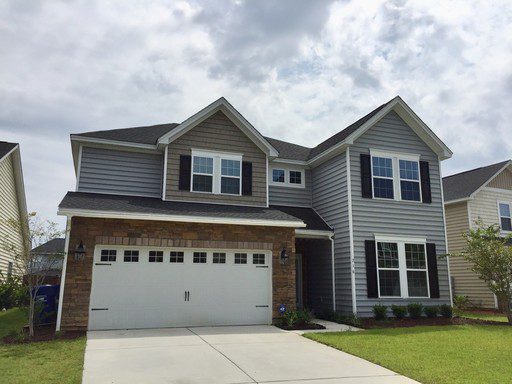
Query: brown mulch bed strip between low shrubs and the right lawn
[{"x": 424, "y": 321}]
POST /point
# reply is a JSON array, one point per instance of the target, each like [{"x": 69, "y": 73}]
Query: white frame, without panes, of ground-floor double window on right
[{"x": 402, "y": 264}]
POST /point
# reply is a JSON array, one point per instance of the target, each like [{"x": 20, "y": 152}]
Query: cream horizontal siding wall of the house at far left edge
[{"x": 9, "y": 209}]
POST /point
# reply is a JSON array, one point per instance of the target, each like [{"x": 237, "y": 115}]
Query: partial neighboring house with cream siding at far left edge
[{"x": 13, "y": 205}]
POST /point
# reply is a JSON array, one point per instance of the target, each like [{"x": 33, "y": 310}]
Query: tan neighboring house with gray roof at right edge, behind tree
[{"x": 484, "y": 193}]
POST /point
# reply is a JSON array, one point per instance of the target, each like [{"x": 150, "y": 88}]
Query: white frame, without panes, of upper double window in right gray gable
[{"x": 395, "y": 163}]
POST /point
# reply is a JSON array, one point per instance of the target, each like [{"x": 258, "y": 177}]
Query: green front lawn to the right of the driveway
[{"x": 437, "y": 354}]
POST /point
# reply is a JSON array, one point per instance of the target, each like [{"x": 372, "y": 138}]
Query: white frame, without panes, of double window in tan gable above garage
[{"x": 217, "y": 171}]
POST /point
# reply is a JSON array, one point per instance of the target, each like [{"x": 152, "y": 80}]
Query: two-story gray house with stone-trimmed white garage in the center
[{"x": 208, "y": 222}]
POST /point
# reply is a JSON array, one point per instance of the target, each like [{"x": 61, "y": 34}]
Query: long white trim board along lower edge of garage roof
[{"x": 180, "y": 218}]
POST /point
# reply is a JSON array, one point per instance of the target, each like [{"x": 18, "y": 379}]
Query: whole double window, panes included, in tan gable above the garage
[{"x": 218, "y": 173}]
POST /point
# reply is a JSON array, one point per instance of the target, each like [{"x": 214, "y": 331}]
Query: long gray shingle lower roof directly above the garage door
[{"x": 151, "y": 205}]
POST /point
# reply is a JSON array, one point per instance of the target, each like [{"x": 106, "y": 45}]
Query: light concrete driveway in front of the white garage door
[{"x": 224, "y": 355}]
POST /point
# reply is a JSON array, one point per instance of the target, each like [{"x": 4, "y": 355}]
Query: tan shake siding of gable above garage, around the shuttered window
[{"x": 217, "y": 133}]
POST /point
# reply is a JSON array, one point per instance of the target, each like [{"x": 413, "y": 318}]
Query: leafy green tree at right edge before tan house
[{"x": 490, "y": 256}]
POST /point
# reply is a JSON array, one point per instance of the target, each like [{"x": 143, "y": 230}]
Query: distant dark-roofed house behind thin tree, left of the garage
[{"x": 46, "y": 261}]
